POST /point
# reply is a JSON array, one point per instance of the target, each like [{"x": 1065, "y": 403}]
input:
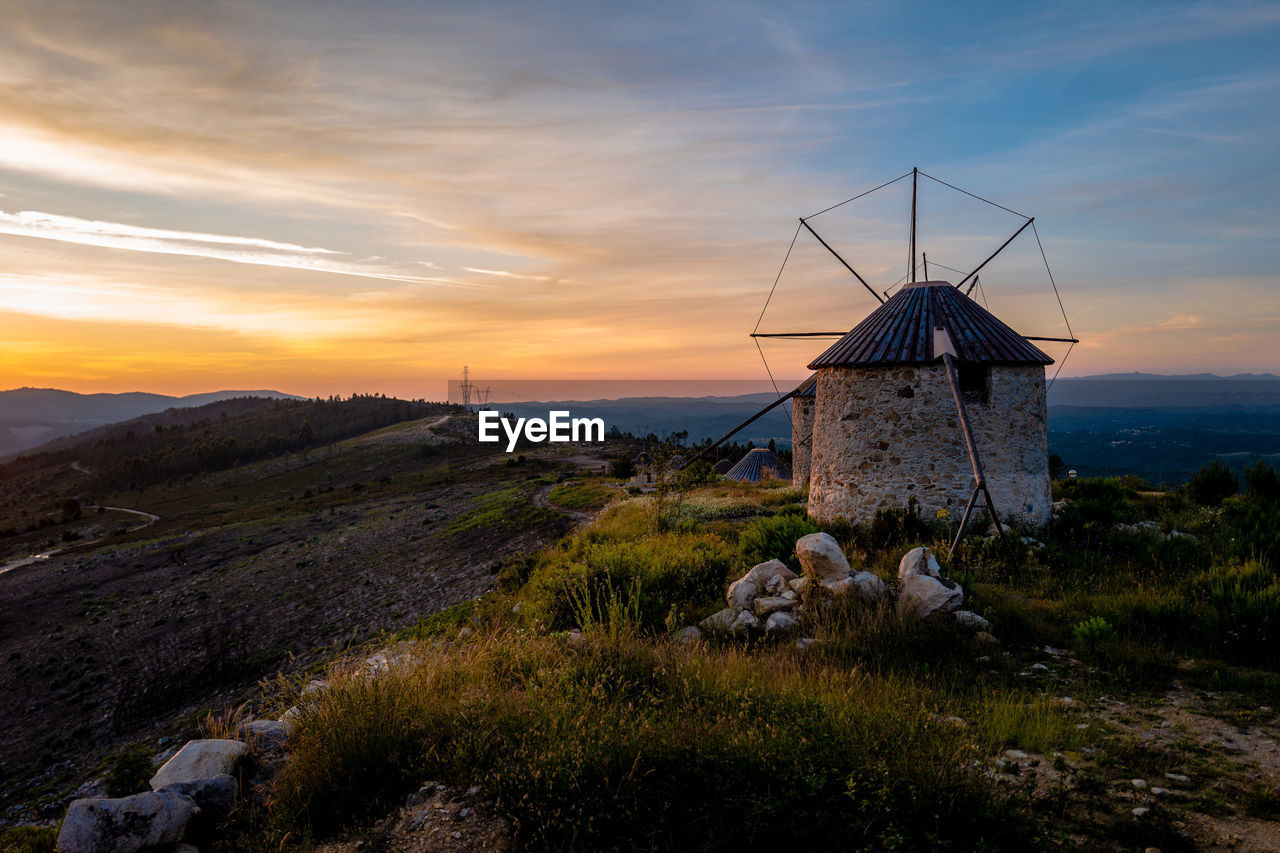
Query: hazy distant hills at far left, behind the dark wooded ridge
[{"x": 31, "y": 417}]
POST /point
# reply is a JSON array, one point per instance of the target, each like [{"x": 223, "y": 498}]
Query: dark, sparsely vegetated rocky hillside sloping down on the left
[{"x": 263, "y": 569}]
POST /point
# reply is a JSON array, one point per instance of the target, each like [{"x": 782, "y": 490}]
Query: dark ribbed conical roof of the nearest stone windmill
[{"x": 902, "y": 332}]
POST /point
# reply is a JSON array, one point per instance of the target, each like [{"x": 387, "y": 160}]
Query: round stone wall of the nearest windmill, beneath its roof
[{"x": 885, "y": 434}]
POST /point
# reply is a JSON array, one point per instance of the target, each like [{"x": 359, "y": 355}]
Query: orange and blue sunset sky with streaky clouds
[{"x": 336, "y": 198}]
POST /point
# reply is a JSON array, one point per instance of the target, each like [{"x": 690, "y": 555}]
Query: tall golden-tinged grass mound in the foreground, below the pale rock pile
[{"x": 619, "y": 742}]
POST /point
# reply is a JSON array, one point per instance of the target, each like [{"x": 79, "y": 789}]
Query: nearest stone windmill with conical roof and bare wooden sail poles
[{"x": 930, "y": 398}]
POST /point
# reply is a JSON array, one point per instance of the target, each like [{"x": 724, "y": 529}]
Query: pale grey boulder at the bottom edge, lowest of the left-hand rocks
[{"x": 126, "y": 825}]
